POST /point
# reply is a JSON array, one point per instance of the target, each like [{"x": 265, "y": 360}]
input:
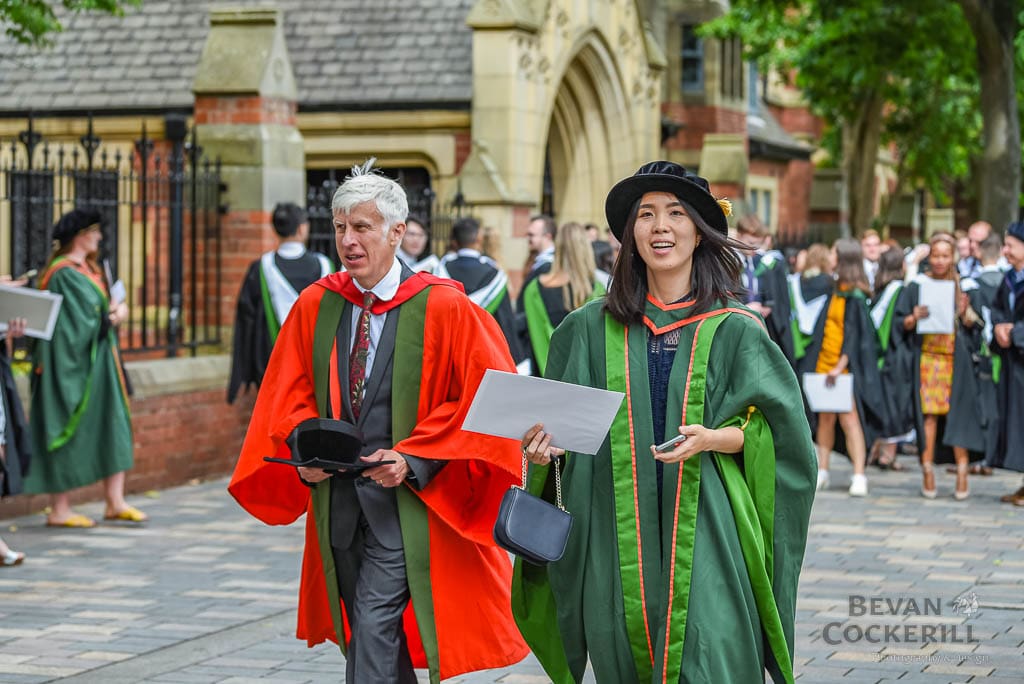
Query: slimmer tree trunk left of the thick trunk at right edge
[{"x": 862, "y": 138}]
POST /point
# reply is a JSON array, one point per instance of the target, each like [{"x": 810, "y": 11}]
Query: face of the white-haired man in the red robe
[{"x": 366, "y": 245}]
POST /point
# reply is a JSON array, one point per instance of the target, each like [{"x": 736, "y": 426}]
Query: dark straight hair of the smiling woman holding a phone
[{"x": 715, "y": 274}]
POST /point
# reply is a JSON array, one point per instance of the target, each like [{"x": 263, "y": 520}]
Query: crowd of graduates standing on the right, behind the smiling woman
[{"x": 856, "y": 309}]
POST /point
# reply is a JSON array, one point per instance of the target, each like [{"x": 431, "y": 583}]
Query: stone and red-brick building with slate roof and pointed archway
[{"x": 511, "y": 106}]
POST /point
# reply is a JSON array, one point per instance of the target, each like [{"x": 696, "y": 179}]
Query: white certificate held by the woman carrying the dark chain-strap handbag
[{"x": 508, "y": 405}]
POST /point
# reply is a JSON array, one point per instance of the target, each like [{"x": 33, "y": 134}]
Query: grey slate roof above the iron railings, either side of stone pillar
[{"x": 346, "y": 54}]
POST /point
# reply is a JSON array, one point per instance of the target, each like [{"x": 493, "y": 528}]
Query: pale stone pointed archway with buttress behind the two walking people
[{"x": 576, "y": 90}]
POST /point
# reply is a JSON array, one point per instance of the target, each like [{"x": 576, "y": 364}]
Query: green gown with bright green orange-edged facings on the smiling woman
[{"x": 705, "y": 589}]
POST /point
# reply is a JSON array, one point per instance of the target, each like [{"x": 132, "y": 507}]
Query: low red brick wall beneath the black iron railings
[{"x": 178, "y": 439}]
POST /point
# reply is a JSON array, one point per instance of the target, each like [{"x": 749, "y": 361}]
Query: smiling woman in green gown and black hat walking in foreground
[{"x": 681, "y": 567}]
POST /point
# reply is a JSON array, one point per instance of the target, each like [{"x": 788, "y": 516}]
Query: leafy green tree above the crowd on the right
[{"x": 883, "y": 74}]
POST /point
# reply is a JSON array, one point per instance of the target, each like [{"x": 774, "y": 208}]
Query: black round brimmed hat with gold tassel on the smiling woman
[{"x": 665, "y": 178}]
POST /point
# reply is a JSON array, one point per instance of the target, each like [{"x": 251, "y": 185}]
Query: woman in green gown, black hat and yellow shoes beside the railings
[{"x": 80, "y": 424}]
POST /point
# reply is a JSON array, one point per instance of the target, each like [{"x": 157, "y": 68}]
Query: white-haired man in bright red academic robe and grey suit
[{"x": 400, "y": 356}]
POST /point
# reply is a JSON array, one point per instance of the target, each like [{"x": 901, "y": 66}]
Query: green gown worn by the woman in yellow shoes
[{"x": 80, "y": 425}]
